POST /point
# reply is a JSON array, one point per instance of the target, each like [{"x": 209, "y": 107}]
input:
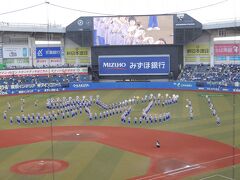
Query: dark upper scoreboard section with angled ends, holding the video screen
[{"x": 165, "y": 29}]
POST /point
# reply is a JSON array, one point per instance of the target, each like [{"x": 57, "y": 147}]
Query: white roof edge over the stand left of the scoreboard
[{"x": 20, "y": 27}]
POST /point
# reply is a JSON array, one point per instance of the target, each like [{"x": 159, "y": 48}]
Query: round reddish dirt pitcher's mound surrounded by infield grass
[{"x": 39, "y": 166}]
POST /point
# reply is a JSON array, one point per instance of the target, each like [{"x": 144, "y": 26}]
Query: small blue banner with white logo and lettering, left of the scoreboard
[{"x": 48, "y": 52}]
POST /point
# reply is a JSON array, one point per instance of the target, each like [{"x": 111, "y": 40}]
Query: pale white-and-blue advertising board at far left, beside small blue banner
[{"x": 15, "y": 52}]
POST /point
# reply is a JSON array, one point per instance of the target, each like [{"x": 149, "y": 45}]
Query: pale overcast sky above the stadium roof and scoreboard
[{"x": 46, "y": 13}]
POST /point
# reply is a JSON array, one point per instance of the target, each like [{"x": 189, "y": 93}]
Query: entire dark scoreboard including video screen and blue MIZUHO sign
[{"x": 138, "y": 47}]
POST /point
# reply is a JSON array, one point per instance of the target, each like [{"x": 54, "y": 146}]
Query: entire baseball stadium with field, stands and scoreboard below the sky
[{"x": 141, "y": 97}]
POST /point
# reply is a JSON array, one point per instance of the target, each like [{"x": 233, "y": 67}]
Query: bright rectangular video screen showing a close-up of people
[{"x": 133, "y": 30}]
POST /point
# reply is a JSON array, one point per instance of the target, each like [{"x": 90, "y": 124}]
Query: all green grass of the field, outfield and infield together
[{"x": 87, "y": 157}]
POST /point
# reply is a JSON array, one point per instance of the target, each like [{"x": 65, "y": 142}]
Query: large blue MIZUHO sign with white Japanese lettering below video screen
[{"x": 134, "y": 65}]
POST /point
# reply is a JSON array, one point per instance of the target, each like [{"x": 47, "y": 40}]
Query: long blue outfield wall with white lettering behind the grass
[{"x": 78, "y": 86}]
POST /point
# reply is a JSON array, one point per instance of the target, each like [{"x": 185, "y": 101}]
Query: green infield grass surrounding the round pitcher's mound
[{"x": 87, "y": 161}]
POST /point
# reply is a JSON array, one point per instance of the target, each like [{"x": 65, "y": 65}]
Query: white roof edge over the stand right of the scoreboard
[{"x": 222, "y": 24}]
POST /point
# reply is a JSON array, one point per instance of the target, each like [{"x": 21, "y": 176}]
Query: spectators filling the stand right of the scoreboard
[{"x": 224, "y": 74}]
